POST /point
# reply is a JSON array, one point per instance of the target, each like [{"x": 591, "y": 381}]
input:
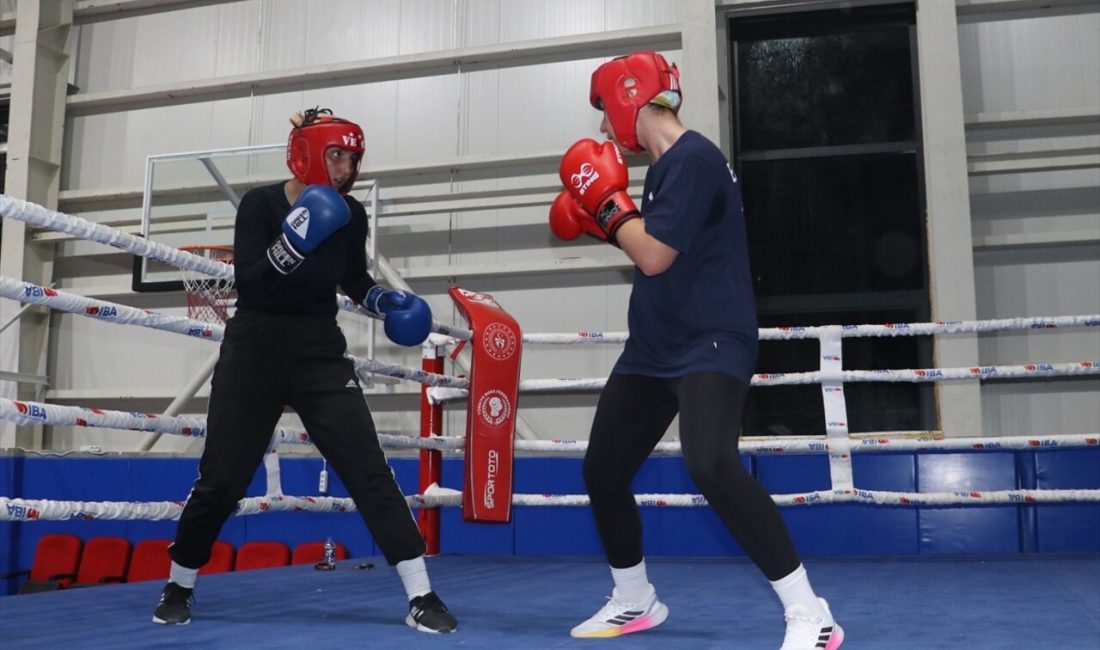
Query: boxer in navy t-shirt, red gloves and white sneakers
[{"x": 692, "y": 347}]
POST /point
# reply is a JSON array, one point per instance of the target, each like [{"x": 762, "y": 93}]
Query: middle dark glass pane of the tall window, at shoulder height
[{"x": 834, "y": 225}]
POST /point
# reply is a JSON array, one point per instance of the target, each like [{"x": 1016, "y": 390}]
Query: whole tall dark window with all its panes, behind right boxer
[{"x": 828, "y": 147}]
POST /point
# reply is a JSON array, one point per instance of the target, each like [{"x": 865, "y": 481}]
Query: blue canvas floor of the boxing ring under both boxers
[{"x": 533, "y": 602}]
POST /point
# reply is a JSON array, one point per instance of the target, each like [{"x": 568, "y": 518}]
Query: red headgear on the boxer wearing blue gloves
[{"x": 312, "y": 137}]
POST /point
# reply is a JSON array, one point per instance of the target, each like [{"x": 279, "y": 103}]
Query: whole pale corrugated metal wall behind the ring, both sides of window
[{"x": 1037, "y": 234}]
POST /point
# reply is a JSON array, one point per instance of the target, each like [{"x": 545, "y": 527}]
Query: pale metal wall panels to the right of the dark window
[{"x": 1037, "y": 233}]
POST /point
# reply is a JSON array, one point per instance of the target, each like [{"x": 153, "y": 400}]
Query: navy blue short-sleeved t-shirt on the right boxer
[{"x": 700, "y": 315}]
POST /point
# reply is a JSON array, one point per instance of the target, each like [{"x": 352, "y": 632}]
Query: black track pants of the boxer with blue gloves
[{"x": 269, "y": 362}]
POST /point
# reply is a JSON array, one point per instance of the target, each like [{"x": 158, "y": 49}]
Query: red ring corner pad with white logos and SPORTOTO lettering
[{"x": 491, "y": 413}]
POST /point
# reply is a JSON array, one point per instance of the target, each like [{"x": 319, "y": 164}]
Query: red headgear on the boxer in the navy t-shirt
[{"x": 624, "y": 85}]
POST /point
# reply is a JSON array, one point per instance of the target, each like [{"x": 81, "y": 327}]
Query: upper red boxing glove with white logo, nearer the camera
[{"x": 596, "y": 175}]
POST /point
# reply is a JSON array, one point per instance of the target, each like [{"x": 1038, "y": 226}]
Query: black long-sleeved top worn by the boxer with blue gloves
[{"x": 310, "y": 290}]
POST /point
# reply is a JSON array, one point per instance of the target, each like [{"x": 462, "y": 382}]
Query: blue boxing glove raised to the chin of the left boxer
[{"x": 318, "y": 213}]
